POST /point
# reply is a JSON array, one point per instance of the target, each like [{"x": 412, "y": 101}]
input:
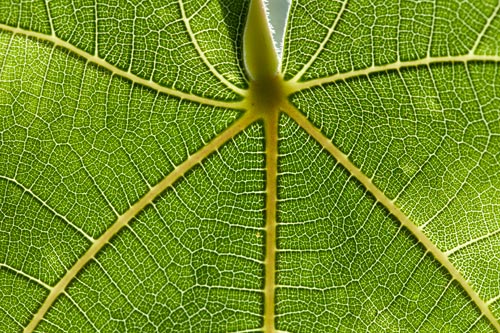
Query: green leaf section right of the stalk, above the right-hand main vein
[{"x": 341, "y": 38}]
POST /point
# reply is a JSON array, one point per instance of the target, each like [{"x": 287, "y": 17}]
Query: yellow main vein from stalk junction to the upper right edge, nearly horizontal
[{"x": 293, "y": 87}]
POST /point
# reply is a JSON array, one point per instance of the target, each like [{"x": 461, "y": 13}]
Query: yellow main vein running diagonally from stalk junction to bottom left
[{"x": 124, "y": 219}]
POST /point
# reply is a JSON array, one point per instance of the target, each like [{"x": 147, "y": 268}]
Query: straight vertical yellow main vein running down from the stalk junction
[{"x": 271, "y": 137}]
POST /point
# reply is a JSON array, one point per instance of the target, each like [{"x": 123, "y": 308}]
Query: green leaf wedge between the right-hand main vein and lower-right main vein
[{"x": 431, "y": 143}]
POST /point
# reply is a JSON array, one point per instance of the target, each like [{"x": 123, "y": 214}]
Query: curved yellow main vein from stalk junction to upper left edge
[{"x": 115, "y": 70}]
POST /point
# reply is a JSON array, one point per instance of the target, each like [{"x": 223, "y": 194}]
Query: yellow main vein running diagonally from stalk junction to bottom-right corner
[{"x": 392, "y": 208}]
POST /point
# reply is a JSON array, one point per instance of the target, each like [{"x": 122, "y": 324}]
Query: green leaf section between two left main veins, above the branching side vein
[{"x": 88, "y": 143}]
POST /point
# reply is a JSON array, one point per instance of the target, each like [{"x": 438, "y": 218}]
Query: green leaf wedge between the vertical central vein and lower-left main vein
[{"x": 191, "y": 261}]
